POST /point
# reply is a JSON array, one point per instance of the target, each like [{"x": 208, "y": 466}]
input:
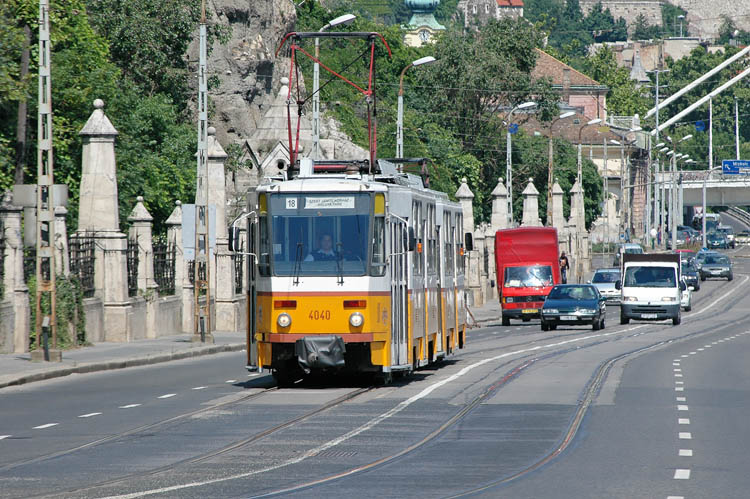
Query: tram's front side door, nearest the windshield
[{"x": 398, "y": 235}]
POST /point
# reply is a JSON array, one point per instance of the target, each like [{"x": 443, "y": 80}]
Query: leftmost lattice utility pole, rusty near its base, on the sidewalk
[{"x": 45, "y": 206}]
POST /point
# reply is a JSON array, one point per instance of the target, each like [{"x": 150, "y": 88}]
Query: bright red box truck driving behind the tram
[{"x": 527, "y": 264}]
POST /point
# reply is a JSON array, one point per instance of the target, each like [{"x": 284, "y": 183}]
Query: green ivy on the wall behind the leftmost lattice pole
[{"x": 69, "y": 311}]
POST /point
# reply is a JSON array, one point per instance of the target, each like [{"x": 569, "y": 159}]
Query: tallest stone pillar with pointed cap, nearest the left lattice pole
[{"x": 98, "y": 213}]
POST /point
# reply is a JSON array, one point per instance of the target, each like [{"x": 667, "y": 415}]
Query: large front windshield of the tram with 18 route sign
[{"x": 318, "y": 234}]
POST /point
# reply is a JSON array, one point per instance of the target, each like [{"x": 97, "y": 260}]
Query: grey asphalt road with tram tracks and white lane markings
[{"x": 641, "y": 410}]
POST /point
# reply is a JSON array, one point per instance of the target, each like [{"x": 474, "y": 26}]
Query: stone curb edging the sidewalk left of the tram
[{"x": 119, "y": 364}]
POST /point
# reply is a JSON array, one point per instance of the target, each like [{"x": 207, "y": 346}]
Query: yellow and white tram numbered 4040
[{"x": 357, "y": 269}]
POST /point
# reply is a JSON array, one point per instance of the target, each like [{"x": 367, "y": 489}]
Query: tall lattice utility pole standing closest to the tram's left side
[{"x": 202, "y": 318}]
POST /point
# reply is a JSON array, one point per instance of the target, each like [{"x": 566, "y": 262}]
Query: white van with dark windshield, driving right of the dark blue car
[{"x": 651, "y": 287}]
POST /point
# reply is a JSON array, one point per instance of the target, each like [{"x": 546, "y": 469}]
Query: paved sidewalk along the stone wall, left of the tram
[{"x": 17, "y": 369}]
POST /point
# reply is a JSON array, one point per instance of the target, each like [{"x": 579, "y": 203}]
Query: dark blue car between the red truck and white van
[{"x": 573, "y": 305}]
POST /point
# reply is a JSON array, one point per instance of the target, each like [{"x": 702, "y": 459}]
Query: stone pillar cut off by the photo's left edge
[{"x": 13, "y": 280}]
